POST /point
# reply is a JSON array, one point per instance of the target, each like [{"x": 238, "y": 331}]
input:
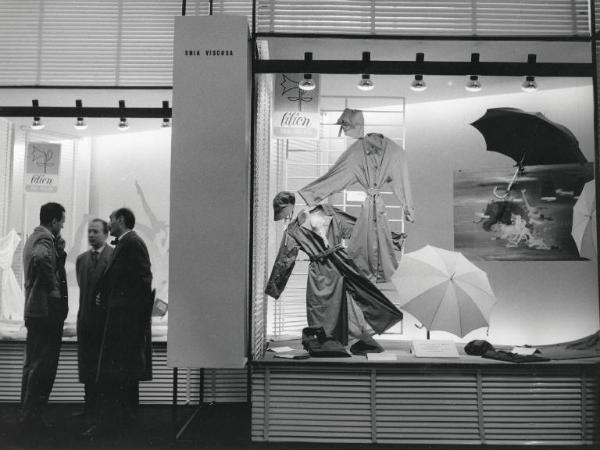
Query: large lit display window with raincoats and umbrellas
[{"x": 409, "y": 207}]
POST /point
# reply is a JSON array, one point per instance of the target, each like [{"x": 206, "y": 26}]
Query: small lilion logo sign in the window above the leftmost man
[{"x": 41, "y": 167}]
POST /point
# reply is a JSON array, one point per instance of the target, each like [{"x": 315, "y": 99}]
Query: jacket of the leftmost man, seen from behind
[{"x": 41, "y": 266}]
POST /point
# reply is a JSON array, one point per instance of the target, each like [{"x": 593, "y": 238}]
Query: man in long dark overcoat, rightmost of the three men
[{"x": 126, "y": 351}]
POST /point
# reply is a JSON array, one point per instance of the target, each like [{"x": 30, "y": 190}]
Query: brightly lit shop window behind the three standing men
[{"x": 91, "y": 172}]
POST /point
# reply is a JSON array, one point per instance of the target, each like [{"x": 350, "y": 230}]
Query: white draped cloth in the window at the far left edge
[{"x": 11, "y": 295}]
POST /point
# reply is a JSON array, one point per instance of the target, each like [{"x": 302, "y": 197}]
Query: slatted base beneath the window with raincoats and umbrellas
[{"x": 465, "y": 400}]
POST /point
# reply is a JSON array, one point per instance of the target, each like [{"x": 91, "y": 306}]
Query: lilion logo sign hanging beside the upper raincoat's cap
[{"x": 295, "y": 111}]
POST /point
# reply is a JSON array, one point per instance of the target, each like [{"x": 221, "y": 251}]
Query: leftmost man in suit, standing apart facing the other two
[{"x": 46, "y": 307}]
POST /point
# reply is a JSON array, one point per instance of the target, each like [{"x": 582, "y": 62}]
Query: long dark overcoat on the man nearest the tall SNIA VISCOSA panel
[{"x": 126, "y": 294}]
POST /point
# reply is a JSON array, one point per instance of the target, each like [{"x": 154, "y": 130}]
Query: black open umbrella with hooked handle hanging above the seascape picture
[{"x": 528, "y": 138}]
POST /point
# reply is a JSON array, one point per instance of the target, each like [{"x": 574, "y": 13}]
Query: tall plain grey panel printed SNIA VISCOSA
[{"x": 210, "y": 185}]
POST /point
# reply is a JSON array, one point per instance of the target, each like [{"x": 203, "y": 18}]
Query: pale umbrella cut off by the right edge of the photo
[{"x": 584, "y": 222}]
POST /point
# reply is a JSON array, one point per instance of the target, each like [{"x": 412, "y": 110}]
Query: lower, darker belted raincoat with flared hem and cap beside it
[{"x": 338, "y": 297}]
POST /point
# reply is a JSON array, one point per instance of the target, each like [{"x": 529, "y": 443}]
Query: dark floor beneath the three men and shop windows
[{"x": 216, "y": 427}]
